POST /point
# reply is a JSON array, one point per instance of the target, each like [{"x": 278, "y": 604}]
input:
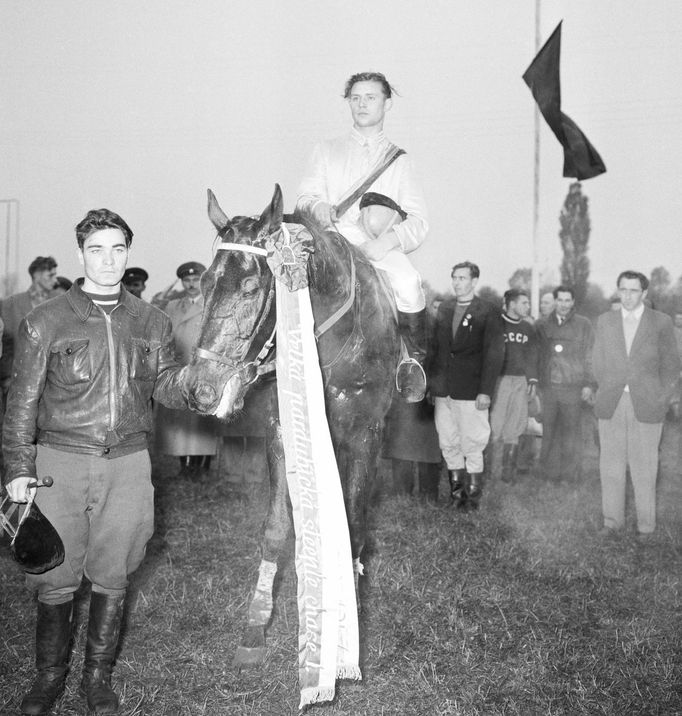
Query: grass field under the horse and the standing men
[{"x": 518, "y": 609}]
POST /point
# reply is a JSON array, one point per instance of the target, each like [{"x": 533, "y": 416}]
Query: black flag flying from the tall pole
[{"x": 581, "y": 159}]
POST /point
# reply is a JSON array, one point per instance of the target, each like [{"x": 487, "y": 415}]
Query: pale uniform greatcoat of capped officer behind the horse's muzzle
[{"x": 182, "y": 432}]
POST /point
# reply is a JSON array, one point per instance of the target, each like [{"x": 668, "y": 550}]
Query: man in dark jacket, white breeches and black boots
[{"x": 467, "y": 357}]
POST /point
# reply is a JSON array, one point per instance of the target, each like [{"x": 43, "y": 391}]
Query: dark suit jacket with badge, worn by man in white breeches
[{"x": 468, "y": 363}]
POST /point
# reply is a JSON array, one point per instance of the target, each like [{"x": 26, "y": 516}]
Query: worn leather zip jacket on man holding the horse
[{"x": 82, "y": 380}]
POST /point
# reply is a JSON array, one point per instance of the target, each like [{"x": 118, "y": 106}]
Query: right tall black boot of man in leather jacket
[{"x": 104, "y": 626}]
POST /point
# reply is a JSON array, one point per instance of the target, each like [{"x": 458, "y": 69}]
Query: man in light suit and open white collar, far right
[{"x": 636, "y": 366}]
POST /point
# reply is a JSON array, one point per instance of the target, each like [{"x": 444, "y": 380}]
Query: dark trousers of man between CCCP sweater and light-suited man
[{"x": 562, "y": 447}]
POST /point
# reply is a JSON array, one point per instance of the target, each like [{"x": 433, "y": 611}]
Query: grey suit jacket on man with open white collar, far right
[{"x": 650, "y": 371}]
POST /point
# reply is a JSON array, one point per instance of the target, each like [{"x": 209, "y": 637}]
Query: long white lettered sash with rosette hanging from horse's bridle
[{"x": 328, "y": 623}]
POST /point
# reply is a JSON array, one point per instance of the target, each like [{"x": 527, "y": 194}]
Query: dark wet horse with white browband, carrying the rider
[{"x": 358, "y": 347}]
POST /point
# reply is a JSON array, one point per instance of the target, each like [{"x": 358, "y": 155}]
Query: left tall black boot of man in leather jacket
[{"x": 53, "y": 634}]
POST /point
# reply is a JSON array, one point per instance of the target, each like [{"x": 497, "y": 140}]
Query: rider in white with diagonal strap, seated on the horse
[{"x": 339, "y": 166}]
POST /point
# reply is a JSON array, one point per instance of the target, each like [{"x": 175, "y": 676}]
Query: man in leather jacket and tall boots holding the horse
[{"x": 86, "y": 366}]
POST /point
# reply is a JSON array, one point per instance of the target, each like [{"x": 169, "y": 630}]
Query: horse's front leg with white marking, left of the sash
[{"x": 277, "y": 529}]
